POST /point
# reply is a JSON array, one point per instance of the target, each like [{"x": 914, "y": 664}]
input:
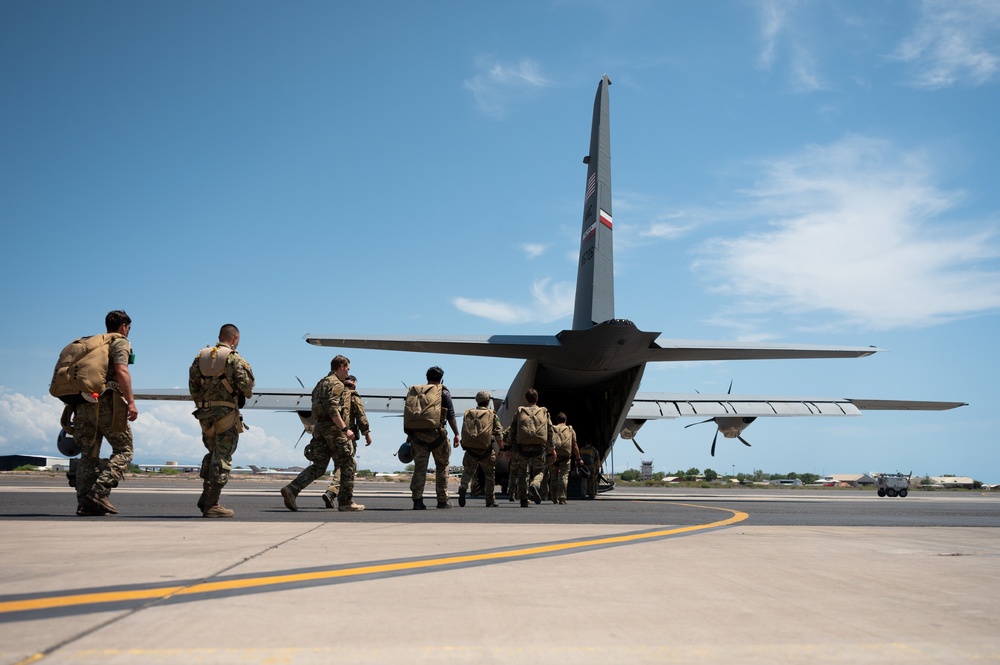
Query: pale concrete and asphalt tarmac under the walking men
[{"x": 706, "y": 584}]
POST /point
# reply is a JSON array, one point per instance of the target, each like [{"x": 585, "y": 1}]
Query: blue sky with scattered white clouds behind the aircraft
[{"x": 801, "y": 172}]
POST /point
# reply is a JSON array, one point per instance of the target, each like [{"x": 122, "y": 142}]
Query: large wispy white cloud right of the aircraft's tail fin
[{"x": 859, "y": 229}]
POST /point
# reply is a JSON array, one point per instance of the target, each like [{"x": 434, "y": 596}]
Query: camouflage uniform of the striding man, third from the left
[{"x": 328, "y": 441}]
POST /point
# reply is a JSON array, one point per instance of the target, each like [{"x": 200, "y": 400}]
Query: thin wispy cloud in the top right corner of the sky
[{"x": 954, "y": 42}]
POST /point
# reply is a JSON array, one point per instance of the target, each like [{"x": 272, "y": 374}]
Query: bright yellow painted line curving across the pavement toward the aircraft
[{"x": 271, "y": 580}]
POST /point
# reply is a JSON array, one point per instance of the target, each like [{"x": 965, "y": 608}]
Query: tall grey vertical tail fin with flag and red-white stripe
[{"x": 595, "y": 282}]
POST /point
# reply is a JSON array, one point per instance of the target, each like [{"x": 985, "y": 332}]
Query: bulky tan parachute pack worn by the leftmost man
[{"x": 82, "y": 369}]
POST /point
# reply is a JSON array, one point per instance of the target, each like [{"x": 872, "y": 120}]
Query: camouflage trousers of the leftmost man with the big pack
[{"x": 108, "y": 419}]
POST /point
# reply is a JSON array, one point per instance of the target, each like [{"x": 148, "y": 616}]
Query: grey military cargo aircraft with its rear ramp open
[{"x": 592, "y": 371}]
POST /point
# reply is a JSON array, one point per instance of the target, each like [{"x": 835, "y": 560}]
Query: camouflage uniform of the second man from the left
[{"x": 217, "y": 399}]
